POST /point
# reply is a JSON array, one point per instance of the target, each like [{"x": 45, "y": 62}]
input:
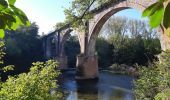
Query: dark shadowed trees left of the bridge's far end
[{"x": 23, "y": 46}]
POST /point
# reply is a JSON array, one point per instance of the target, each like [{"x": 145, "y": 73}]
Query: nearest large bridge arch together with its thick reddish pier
[{"x": 87, "y": 62}]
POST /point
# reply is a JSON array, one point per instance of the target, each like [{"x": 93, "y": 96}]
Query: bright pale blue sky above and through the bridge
[{"x": 46, "y": 13}]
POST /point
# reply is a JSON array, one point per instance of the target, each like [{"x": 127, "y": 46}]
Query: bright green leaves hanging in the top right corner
[{"x": 157, "y": 13}]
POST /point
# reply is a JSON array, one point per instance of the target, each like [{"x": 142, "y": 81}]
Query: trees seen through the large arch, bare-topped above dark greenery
[{"x": 132, "y": 41}]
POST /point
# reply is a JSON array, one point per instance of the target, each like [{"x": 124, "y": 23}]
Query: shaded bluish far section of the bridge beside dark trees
[{"x": 53, "y": 45}]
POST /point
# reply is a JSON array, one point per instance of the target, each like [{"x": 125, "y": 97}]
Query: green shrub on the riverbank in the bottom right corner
[{"x": 154, "y": 81}]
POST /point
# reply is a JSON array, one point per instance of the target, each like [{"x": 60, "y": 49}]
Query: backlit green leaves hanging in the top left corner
[{"x": 11, "y": 17}]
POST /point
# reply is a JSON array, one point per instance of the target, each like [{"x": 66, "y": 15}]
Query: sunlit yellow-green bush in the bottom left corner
[{"x": 34, "y": 85}]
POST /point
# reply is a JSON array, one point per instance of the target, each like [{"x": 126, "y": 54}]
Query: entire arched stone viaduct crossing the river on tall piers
[{"x": 87, "y": 63}]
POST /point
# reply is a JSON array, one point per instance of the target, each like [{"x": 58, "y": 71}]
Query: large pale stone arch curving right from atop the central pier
[{"x": 97, "y": 22}]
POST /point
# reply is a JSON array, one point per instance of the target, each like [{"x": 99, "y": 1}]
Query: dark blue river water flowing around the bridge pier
[{"x": 109, "y": 87}]
